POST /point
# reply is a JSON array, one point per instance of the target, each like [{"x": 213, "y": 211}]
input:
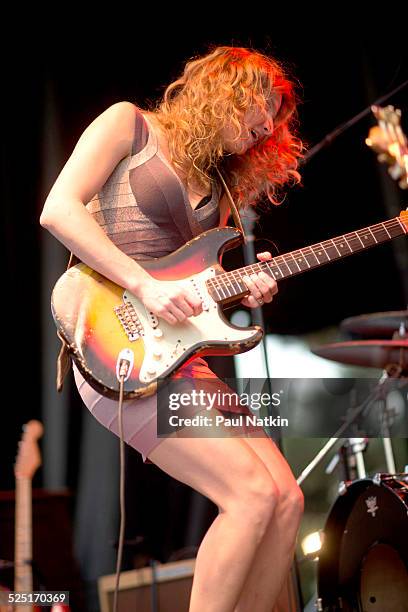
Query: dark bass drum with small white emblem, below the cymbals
[{"x": 363, "y": 564}]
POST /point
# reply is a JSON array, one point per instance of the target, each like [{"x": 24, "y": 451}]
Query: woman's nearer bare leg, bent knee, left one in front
[{"x": 233, "y": 476}]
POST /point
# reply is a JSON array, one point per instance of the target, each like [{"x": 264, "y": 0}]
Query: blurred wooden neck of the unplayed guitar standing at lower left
[{"x": 23, "y": 580}]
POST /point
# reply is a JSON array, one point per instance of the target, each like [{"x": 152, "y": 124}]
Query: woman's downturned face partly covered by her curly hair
[{"x": 257, "y": 125}]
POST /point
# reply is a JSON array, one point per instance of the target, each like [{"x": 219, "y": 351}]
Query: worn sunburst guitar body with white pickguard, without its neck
[{"x": 98, "y": 319}]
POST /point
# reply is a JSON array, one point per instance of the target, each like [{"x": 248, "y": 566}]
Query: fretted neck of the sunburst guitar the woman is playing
[{"x": 229, "y": 286}]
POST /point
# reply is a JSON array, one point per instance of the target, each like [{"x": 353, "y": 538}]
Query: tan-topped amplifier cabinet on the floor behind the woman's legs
[{"x": 173, "y": 588}]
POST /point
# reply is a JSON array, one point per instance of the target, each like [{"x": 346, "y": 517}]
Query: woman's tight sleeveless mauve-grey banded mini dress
[{"x": 143, "y": 208}]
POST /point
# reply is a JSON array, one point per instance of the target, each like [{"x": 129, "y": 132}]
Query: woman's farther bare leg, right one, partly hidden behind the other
[{"x": 265, "y": 582}]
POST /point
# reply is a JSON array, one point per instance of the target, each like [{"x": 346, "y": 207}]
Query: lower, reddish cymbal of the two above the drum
[{"x": 369, "y": 353}]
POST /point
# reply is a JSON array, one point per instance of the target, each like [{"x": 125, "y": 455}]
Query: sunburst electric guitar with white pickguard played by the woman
[{"x": 99, "y": 319}]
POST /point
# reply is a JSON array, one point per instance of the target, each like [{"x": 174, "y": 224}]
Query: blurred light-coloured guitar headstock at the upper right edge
[{"x": 388, "y": 139}]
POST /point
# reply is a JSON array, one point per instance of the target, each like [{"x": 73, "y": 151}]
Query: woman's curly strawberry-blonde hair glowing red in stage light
[{"x": 221, "y": 87}]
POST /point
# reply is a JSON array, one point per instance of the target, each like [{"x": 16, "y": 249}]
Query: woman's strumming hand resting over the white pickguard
[{"x": 168, "y": 300}]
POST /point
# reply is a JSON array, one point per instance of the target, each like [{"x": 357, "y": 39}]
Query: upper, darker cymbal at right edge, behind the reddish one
[{"x": 377, "y": 324}]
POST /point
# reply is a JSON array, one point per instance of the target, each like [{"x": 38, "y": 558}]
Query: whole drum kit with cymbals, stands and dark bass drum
[{"x": 363, "y": 562}]
